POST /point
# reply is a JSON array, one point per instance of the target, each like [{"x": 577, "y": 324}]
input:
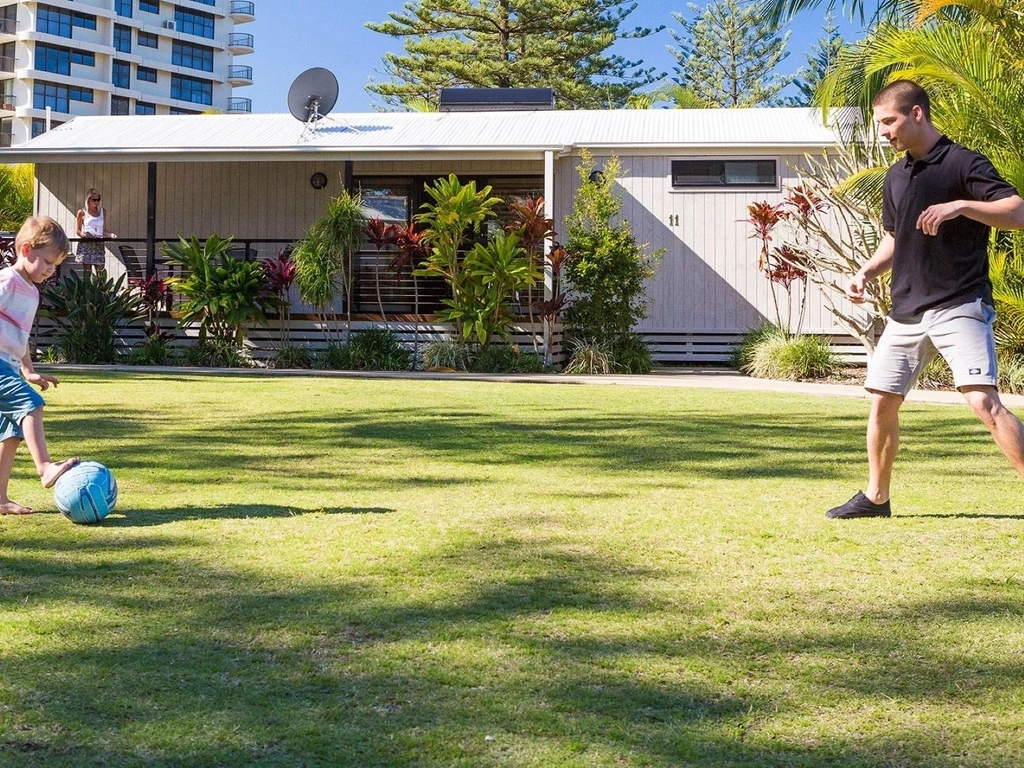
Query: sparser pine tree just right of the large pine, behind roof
[{"x": 729, "y": 53}]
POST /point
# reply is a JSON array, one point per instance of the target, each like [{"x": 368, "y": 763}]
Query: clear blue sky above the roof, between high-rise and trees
[{"x": 291, "y": 37}]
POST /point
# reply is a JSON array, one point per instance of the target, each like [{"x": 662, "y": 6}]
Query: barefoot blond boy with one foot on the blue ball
[{"x": 39, "y": 247}]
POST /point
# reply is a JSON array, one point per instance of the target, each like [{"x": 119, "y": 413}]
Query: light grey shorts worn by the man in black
[{"x": 963, "y": 335}]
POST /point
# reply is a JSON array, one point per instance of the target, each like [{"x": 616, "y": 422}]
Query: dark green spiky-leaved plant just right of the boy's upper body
[{"x": 89, "y": 311}]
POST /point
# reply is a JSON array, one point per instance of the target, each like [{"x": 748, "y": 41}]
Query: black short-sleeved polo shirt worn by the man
[{"x": 952, "y": 268}]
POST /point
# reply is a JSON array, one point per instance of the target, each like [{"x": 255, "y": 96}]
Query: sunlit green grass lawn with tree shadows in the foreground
[{"x": 326, "y": 572}]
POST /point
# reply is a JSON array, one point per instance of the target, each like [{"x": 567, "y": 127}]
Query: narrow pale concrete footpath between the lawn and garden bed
[{"x": 679, "y": 377}]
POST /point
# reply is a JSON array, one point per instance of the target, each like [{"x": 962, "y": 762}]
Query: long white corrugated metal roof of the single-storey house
[{"x": 380, "y": 136}]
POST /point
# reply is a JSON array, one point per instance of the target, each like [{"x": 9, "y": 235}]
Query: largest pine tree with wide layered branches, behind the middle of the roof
[{"x": 560, "y": 45}]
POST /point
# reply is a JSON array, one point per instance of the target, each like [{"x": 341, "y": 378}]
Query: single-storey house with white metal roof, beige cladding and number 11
[{"x": 688, "y": 179}]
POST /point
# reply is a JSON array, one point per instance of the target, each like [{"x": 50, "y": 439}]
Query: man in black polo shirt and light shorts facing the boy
[{"x": 938, "y": 207}]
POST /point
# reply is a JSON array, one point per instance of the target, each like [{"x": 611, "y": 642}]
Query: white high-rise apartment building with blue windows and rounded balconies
[{"x": 66, "y": 58}]
